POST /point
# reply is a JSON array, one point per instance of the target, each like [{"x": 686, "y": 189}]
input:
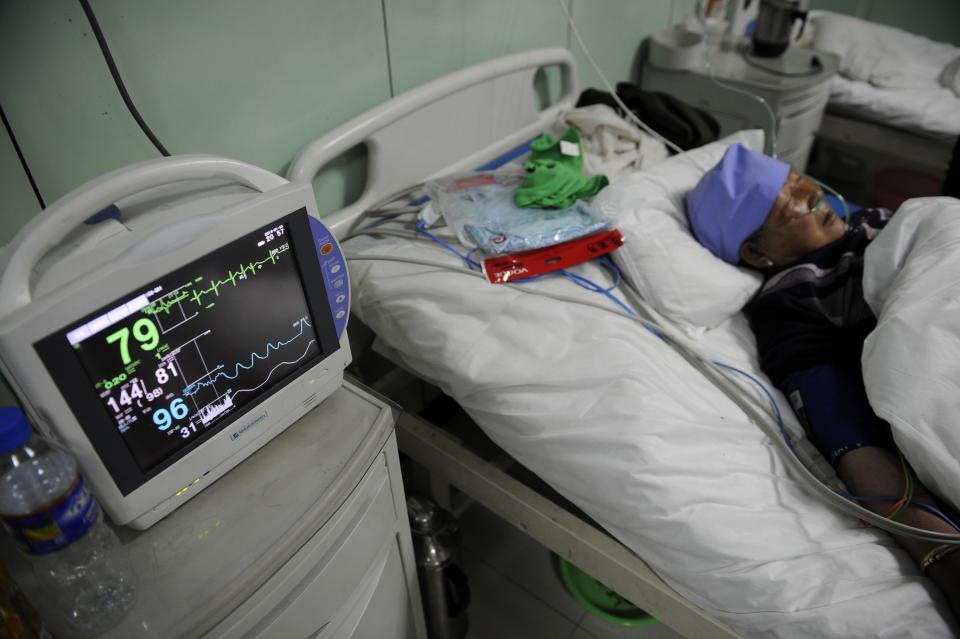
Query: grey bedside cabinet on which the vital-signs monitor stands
[{"x": 308, "y": 537}]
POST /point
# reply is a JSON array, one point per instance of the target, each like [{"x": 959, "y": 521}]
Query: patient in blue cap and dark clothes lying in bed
[{"x": 810, "y": 320}]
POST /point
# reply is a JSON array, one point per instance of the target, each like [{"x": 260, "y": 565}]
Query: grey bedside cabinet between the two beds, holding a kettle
[{"x": 794, "y": 85}]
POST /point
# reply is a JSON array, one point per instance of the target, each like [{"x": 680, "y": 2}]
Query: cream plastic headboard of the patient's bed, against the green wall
[{"x": 456, "y": 122}]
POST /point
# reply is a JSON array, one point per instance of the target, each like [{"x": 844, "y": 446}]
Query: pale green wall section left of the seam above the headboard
[{"x": 246, "y": 79}]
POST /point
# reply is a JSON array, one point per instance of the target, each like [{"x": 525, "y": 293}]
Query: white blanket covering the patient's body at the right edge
[{"x": 911, "y": 362}]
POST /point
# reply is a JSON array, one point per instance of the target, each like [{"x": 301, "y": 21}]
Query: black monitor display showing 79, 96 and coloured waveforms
[{"x": 174, "y": 359}]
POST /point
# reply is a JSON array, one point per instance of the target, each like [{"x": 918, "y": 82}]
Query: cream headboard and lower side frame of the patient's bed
[{"x": 460, "y": 122}]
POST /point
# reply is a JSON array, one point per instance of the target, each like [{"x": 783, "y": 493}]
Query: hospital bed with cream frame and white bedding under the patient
[{"x": 668, "y": 492}]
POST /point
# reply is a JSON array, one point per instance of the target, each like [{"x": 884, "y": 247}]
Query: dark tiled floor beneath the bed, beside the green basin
[{"x": 516, "y": 592}]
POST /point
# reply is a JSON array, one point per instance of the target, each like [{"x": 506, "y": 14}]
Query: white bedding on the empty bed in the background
[{"x": 906, "y": 91}]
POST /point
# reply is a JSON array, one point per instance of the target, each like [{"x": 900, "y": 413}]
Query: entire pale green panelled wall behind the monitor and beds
[{"x": 256, "y": 80}]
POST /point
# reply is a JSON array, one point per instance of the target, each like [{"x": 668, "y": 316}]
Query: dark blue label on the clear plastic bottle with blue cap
[{"x": 57, "y": 526}]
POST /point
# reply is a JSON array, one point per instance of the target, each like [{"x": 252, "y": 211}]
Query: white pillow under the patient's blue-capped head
[{"x": 661, "y": 257}]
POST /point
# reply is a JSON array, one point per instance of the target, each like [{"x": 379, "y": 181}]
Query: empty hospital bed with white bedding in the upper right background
[{"x": 868, "y": 128}]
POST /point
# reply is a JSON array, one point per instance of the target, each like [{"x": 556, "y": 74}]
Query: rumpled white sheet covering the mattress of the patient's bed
[{"x": 618, "y": 423}]
